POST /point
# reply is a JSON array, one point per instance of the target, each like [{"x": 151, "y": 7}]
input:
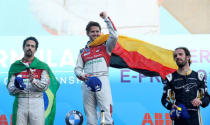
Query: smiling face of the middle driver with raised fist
[{"x": 94, "y": 32}]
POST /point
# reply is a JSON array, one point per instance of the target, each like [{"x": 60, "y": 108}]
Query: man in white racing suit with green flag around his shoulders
[{"x": 28, "y": 85}]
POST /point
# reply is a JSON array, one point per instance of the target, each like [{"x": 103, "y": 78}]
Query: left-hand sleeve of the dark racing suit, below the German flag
[{"x": 165, "y": 97}]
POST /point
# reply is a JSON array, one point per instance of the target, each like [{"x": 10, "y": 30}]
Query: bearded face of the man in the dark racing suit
[{"x": 181, "y": 58}]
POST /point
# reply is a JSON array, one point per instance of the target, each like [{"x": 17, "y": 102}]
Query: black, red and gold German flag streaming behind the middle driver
[{"x": 140, "y": 56}]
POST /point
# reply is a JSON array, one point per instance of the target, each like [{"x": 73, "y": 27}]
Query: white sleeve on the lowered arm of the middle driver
[{"x": 78, "y": 70}]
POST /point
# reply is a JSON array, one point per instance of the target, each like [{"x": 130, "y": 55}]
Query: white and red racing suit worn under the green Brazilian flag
[{"x": 30, "y": 100}]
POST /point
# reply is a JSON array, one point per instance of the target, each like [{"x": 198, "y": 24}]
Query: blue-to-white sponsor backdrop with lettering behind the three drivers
[{"x": 136, "y": 98}]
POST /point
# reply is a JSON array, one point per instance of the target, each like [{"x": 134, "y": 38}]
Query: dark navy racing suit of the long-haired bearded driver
[{"x": 183, "y": 89}]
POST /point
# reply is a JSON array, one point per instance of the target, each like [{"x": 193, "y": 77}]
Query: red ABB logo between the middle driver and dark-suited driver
[{"x": 158, "y": 119}]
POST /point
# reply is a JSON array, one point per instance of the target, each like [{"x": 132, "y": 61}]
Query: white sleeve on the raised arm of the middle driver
[{"x": 113, "y": 36}]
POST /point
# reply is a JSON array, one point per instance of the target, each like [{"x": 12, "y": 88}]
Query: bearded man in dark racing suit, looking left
[{"x": 185, "y": 87}]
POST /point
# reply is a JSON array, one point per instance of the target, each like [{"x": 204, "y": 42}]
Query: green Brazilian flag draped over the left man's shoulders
[{"x": 49, "y": 94}]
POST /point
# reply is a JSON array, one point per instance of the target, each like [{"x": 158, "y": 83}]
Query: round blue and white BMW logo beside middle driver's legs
[{"x": 74, "y": 118}]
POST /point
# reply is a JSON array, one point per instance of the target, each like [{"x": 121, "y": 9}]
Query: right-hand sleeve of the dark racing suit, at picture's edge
[{"x": 203, "y": 87}]
